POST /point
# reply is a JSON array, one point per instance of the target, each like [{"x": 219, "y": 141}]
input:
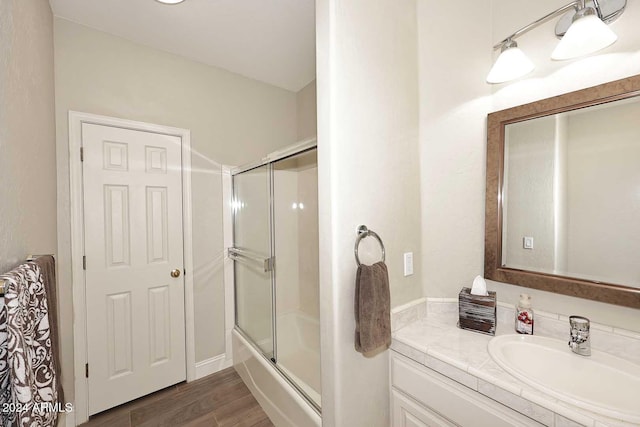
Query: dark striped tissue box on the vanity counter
[{"x": 477, "y": 312}]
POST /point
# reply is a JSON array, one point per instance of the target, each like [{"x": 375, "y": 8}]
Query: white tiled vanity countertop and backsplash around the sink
[{"x": 436, "y": 344}]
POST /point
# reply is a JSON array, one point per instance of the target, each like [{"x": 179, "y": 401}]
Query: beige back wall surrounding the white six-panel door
[{"x": 233, "y": 120}]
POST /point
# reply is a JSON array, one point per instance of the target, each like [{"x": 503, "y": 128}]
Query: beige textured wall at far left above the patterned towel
[{"x": 27, "y": 132}]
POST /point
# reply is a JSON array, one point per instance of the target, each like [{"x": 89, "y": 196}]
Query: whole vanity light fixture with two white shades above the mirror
[{"x": 582, "y": 31}]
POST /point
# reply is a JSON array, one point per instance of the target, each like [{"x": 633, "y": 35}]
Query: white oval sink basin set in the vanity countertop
[{"x": 601, "y": 383}]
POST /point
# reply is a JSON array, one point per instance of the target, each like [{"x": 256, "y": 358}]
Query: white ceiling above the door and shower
[{"x": 268, "y": 40}]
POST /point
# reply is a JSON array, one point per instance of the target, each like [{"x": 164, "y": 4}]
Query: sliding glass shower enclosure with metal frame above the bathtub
[{"x": 275, "y": 254}]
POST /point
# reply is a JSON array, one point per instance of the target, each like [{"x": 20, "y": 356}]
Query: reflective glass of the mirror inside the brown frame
[{"x": 571, "y": 194}]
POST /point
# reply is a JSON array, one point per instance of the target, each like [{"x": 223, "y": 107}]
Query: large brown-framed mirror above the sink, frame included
[{"x": 563, "y": 194}]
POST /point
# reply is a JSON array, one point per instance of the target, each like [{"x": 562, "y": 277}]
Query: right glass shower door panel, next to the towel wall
[{"x": 295, "y": 225}]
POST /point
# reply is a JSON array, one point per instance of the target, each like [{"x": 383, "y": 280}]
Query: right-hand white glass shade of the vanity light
[{"x": 586, "y": 35}]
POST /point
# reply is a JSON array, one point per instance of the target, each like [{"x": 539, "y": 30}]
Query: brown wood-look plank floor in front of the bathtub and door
[{"x": 220, "y": 399}]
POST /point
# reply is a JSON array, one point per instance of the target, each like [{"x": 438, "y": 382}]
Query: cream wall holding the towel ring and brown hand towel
[{"x": 368, "y": 174}]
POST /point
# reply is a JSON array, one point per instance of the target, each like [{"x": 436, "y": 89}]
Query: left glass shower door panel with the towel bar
[{"x": 252, "y": 252}]
